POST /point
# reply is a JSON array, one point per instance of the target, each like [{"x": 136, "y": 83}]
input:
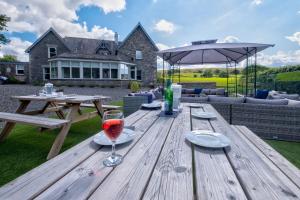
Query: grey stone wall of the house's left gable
[{"x": 38, "y": 56}]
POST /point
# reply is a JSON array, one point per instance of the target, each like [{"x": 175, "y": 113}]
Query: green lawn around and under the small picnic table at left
[{"x": 26, "y": 147}]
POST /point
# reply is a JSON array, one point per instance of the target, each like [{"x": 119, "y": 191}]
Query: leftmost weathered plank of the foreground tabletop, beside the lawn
[{"x": 39, "y": 179}]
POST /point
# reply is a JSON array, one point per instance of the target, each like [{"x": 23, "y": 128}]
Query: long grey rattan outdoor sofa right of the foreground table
[{"x": 271, "y": 119}]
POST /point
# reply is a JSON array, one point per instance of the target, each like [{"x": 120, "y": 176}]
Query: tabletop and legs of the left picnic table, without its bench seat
[{"x": 73, "y": 114}]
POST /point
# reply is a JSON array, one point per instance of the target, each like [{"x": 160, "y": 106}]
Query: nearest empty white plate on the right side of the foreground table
[{"x": 206, "y": 138}]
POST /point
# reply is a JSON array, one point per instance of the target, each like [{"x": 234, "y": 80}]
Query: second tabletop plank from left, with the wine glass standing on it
[{"x": 84, "y": 179}]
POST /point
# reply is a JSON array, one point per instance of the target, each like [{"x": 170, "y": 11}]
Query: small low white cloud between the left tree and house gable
[{"x": 16, "y": 47}]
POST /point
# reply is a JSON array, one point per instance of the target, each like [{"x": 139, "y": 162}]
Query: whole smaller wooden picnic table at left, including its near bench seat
[{"x": 65, "y": 121}]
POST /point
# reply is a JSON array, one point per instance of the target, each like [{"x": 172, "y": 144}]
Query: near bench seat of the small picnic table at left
[{"x": 32, "y": 120}]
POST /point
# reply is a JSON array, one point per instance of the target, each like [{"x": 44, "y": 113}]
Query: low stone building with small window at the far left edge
[{"x": 15, "y": 69}]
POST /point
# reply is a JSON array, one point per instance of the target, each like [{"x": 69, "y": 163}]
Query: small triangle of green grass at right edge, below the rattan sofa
[{"x": 290, "y": 150}]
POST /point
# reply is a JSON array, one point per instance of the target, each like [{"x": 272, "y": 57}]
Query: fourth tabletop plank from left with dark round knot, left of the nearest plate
[{"x": 172, "y": 177}]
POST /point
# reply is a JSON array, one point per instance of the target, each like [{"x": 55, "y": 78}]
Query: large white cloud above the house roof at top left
[{"x": 37, "y": 16}]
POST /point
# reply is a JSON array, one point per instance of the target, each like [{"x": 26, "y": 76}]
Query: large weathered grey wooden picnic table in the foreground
[{"x": 160, "y": 164}]
